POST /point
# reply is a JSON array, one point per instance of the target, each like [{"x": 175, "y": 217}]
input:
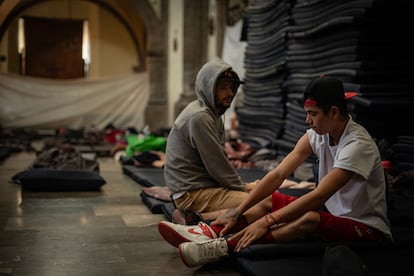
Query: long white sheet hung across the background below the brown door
[{"x": 27, "y": 102}]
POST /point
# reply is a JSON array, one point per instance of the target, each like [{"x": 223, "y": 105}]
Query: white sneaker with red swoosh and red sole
[{"x": 175, "y": 234}]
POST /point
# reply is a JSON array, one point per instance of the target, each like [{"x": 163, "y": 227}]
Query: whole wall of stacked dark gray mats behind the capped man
[{"x": 361, "y": 42}]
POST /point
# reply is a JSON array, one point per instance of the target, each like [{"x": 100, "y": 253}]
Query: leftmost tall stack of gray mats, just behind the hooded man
[{"x": 262, "y": 115}]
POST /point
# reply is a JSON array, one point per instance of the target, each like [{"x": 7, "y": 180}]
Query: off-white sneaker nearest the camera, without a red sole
[{"x": 199, "y": 253}]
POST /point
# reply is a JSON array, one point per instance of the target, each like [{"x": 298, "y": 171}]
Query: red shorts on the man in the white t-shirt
[{"x": 333, "y": 228}]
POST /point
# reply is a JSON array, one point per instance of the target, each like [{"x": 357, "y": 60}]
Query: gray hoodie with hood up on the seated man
[{"x": 195, "y": 155}]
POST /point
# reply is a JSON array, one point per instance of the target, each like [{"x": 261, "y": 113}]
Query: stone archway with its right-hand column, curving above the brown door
[{"x": 153, "y": 44}]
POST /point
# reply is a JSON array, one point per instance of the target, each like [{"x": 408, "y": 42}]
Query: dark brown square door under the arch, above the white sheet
[{"x": 53, "y": 48}]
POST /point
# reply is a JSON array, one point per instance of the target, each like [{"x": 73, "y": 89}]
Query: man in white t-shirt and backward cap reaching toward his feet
[{"x": 348, "y": 204}]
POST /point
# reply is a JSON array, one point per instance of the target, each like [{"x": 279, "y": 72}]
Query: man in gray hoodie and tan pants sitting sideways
[{"x": 197, "y": 169}]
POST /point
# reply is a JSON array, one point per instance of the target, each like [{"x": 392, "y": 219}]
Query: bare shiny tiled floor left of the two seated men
[{"x": 107, "y": 232}]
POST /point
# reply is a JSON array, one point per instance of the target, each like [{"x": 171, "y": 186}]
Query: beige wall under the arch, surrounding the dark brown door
[{"x": 113, "y": 51}]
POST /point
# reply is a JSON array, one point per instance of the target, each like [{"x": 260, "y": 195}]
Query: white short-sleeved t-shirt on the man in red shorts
[{"x": 363, "y": 197}]
